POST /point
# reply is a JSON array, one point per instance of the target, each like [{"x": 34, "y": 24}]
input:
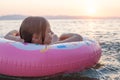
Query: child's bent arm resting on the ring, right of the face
[{"x": 70, "y": 37}]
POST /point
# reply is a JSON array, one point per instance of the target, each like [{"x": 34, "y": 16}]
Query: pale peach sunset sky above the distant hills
[{"x": 95, "y": 8}]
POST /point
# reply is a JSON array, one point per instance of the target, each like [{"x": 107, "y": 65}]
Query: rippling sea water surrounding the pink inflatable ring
[{"x": 105, "y": 31}]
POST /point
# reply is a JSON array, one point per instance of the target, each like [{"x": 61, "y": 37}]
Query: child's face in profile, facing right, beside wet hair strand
[{"x": 48, "y": 35}]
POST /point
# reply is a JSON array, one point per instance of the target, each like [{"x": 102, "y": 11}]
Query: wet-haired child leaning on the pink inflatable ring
[{"x": 37, "y": 30}]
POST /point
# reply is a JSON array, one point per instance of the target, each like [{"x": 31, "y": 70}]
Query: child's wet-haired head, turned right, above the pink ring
[{"x": 36, "y": 30}]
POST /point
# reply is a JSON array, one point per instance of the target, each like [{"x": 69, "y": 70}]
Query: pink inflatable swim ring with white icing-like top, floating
[{"x": 33, "y": 60}]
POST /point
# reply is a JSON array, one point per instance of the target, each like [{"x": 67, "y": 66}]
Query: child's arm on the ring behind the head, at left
[{"x": 13, "y": 35}]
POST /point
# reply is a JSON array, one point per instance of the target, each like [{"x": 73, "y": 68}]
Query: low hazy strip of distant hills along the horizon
[{"x": 19, "y": 17}]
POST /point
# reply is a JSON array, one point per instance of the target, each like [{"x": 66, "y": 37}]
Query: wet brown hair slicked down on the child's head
[{"x": 33, "y": 25}]
